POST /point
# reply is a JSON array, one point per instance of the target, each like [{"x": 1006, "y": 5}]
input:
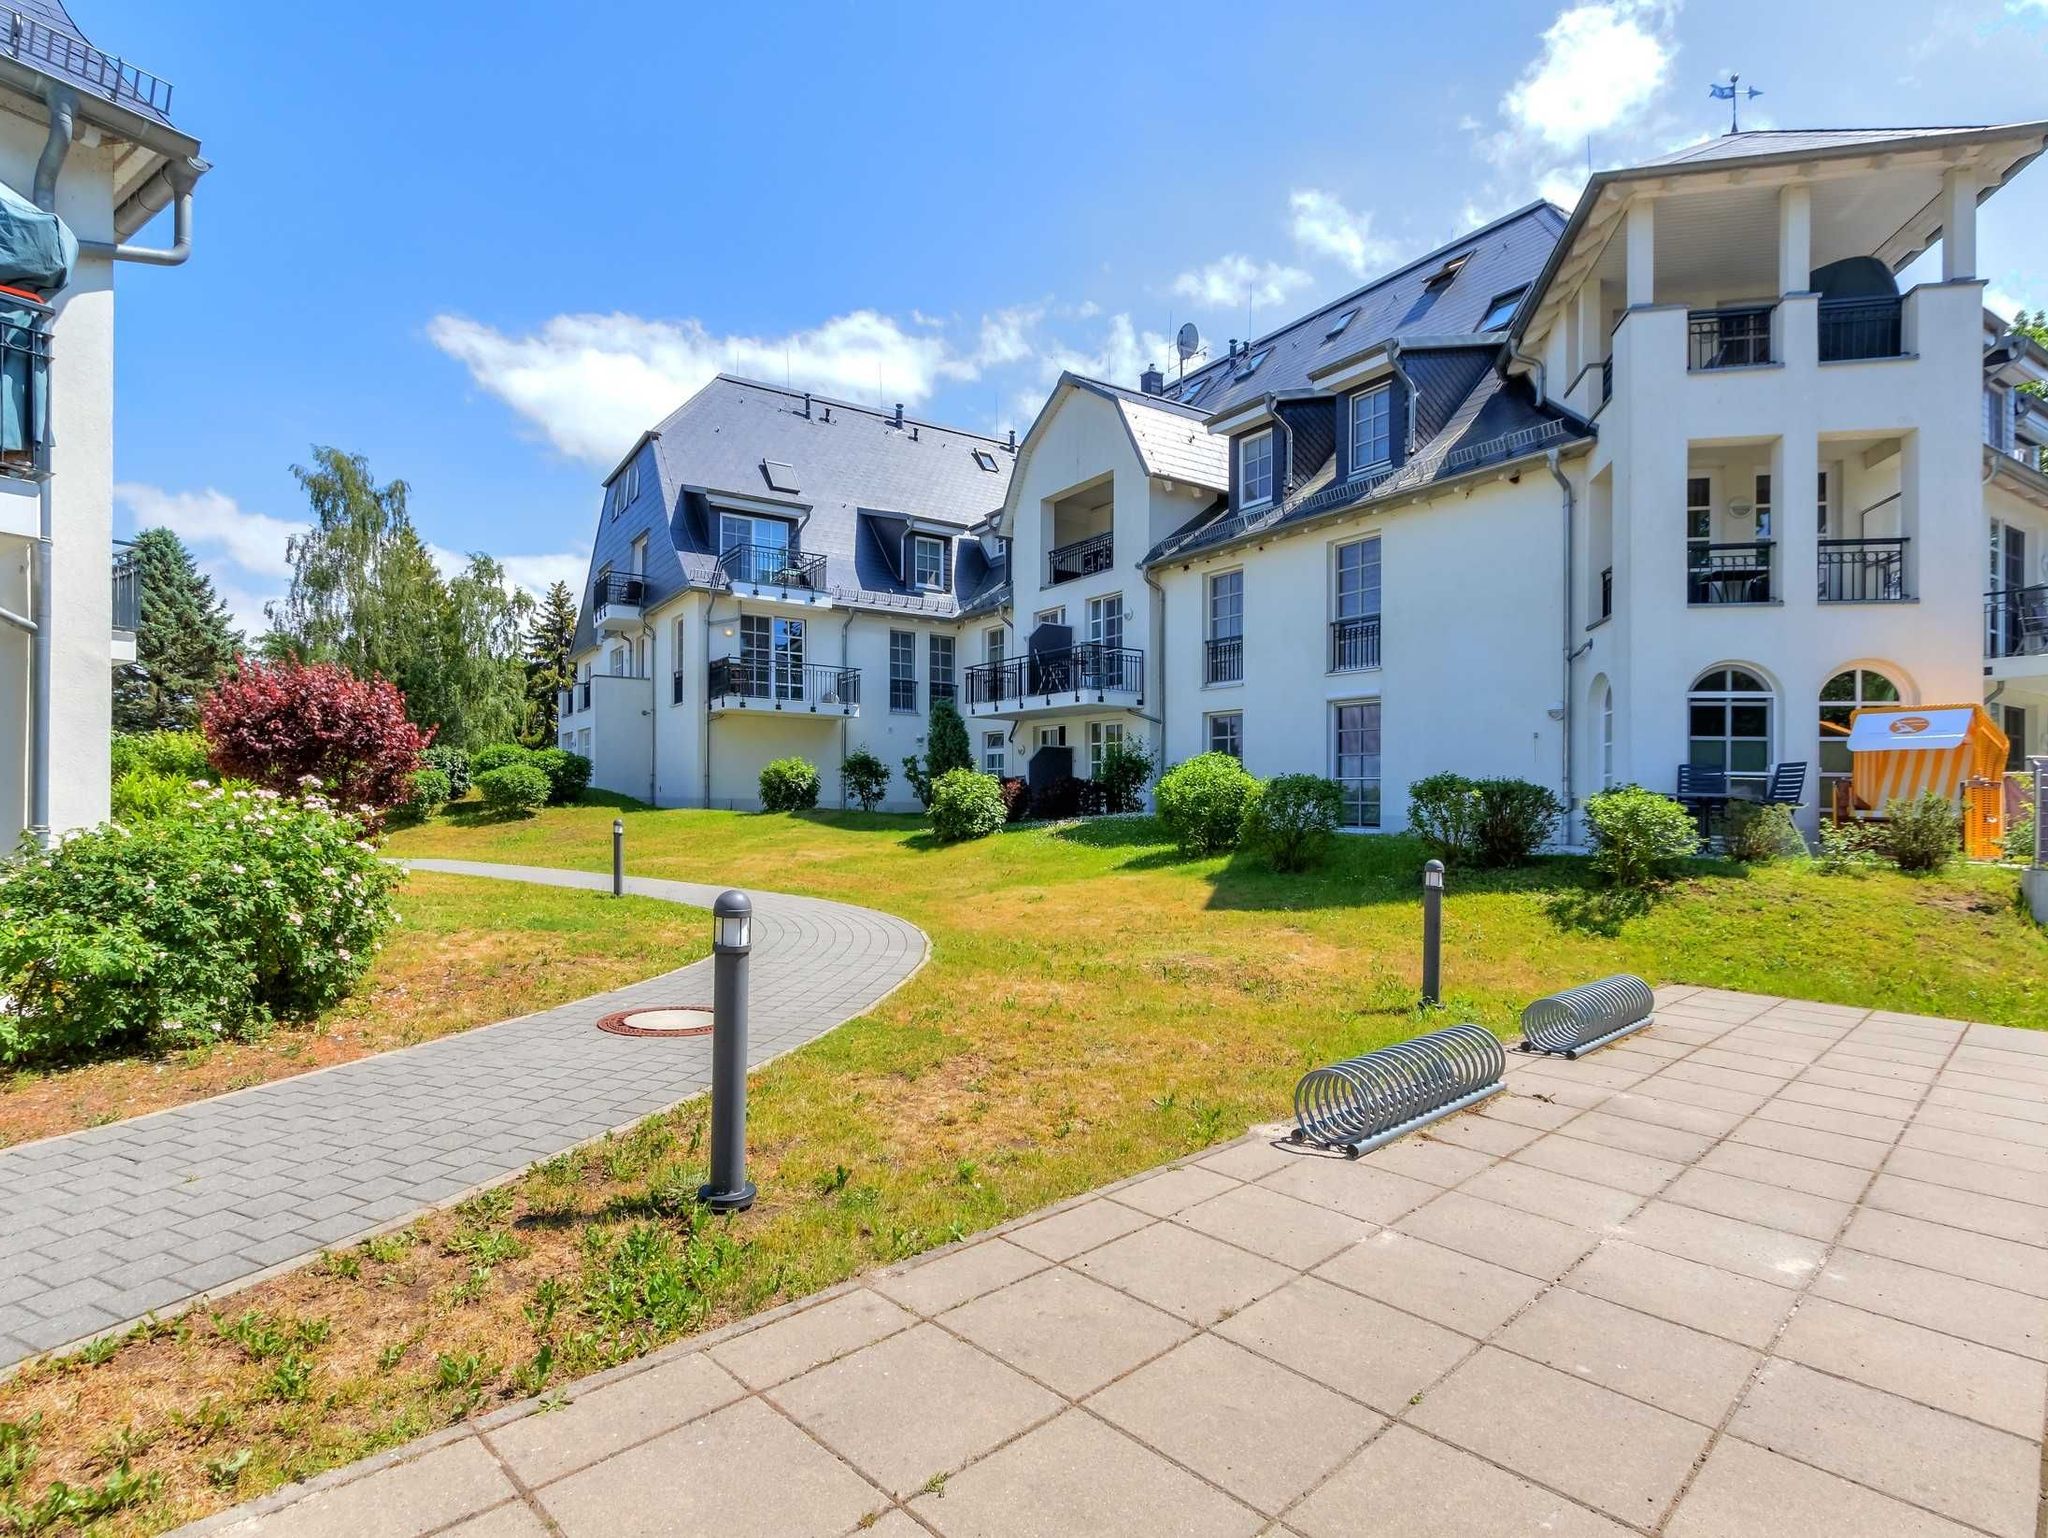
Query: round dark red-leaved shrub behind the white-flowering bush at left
[{"x": 275, "y": 726}]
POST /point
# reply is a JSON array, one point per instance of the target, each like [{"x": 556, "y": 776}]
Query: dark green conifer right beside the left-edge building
[{"x": 183, "y": 644}]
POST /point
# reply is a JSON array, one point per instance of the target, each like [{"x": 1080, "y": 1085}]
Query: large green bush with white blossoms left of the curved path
[{"x": 239, "y": 910}]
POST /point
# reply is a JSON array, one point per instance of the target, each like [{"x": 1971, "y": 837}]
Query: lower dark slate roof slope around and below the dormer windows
[{"x": 1469, "y": 419}]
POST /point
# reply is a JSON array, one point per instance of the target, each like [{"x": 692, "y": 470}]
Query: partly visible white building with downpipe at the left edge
[{"x": 87, "y": 138}]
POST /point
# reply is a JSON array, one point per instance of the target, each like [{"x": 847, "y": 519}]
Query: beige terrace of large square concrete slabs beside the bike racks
[{"x": 1766, "y": 1269}]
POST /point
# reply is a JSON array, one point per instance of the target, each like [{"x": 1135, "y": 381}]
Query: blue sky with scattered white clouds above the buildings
[{"x": 486, "y": 247}]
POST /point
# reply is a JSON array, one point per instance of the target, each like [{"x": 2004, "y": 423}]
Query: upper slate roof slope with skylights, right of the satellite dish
[{"x": 1504, "y": 255}]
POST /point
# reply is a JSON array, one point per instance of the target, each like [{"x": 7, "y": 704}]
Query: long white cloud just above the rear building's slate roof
[{"x": 591, "y": 384}]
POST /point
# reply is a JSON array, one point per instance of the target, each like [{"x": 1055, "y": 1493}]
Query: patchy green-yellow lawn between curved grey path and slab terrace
[{"x": 1095, "y": 1007}]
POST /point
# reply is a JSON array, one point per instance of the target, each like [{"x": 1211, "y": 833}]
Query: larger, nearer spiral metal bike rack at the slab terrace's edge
[{"x": 1369, "y": 1101}]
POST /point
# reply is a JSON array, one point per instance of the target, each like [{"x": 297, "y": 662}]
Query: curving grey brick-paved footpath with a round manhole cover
[{"x": 108, "y": 1226}]
